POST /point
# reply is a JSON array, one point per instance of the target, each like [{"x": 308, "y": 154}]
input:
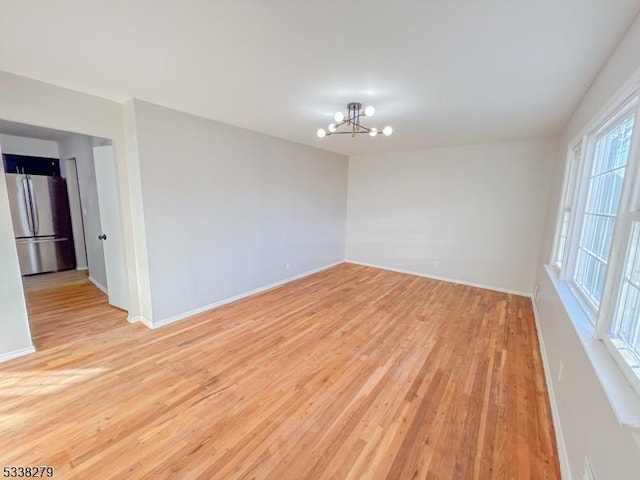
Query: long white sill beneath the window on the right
[{"x": 622, "y": 397}]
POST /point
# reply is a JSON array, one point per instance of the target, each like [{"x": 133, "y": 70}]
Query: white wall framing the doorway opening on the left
[{"x": 36, "y": 103}]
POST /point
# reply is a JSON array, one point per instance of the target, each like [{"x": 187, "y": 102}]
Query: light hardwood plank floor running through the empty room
[{"x": 350, "y": 373}]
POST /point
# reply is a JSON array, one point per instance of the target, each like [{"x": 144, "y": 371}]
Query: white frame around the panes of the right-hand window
[{"x": 573, "y": 200}]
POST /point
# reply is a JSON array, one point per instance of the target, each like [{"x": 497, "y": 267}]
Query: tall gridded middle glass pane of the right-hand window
[{"x": 604, "y": 189}]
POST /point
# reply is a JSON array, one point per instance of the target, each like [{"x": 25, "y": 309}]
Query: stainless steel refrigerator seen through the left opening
[{"x": 41, "y": 223}]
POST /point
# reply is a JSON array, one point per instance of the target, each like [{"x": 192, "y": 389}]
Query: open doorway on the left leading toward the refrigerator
[{"x": 55, "y": 291}]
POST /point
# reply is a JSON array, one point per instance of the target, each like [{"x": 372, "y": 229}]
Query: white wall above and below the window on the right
[{"x": 589, "y": 425}]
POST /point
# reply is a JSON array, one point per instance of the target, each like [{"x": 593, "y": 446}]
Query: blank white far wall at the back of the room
[{"x": 472, "y": 213}]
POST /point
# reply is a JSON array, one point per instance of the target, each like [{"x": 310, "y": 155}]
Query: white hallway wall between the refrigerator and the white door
[{"x": 80, "y": 147}]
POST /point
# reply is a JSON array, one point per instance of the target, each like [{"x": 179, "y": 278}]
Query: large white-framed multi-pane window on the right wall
[{"x": 597, "y": 244}]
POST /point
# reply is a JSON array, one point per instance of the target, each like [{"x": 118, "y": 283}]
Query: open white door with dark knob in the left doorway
[{"x": 110, "y": 221}]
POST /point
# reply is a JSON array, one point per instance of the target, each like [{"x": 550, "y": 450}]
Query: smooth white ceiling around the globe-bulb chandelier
[{"x": 441, "y": 72}]
